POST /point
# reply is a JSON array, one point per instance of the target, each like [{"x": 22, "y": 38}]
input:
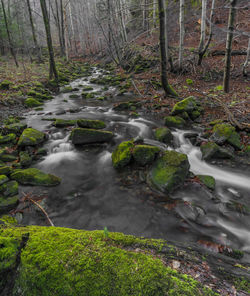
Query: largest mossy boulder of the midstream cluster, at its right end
[{"x": 169, "y": 171}]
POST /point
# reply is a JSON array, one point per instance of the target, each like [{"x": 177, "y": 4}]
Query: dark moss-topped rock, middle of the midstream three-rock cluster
[{"x": 145, "y": 154}]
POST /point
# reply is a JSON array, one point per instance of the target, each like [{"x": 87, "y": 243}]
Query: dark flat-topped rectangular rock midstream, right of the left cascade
[{"x": 88, "y": 136}]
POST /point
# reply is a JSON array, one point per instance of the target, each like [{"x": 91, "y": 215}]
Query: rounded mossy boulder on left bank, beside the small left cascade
[{"x": 31, "y": 137}]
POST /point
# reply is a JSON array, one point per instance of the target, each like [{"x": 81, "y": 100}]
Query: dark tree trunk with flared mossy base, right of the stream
[{"x": 166, "y": 86}]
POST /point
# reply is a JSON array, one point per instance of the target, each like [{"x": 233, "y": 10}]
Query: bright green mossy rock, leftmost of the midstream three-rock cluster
[{"x": 122, "y": 155}]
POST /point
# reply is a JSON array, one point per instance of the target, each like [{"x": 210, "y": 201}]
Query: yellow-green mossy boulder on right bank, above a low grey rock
[{"x": 226, "y": 133}]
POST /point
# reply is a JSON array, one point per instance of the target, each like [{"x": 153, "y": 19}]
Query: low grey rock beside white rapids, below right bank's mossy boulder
[{"x": 211, "y": 150}]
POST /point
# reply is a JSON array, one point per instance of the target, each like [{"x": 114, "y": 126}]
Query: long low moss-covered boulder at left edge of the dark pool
[{"x": 35, "y": 177}]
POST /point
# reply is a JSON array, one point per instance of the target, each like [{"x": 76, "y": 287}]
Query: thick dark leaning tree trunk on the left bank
[{"x": 49, "y": 40}]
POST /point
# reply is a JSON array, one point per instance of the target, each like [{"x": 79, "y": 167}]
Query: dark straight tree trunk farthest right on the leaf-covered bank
[{"x": 230, "y": 29}]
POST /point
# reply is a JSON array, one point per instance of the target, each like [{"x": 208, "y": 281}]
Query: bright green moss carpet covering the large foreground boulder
[{"x": 60, "y": 261}]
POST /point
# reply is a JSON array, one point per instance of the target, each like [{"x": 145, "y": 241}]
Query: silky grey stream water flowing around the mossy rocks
[{"x": 92, "y": 196}]
